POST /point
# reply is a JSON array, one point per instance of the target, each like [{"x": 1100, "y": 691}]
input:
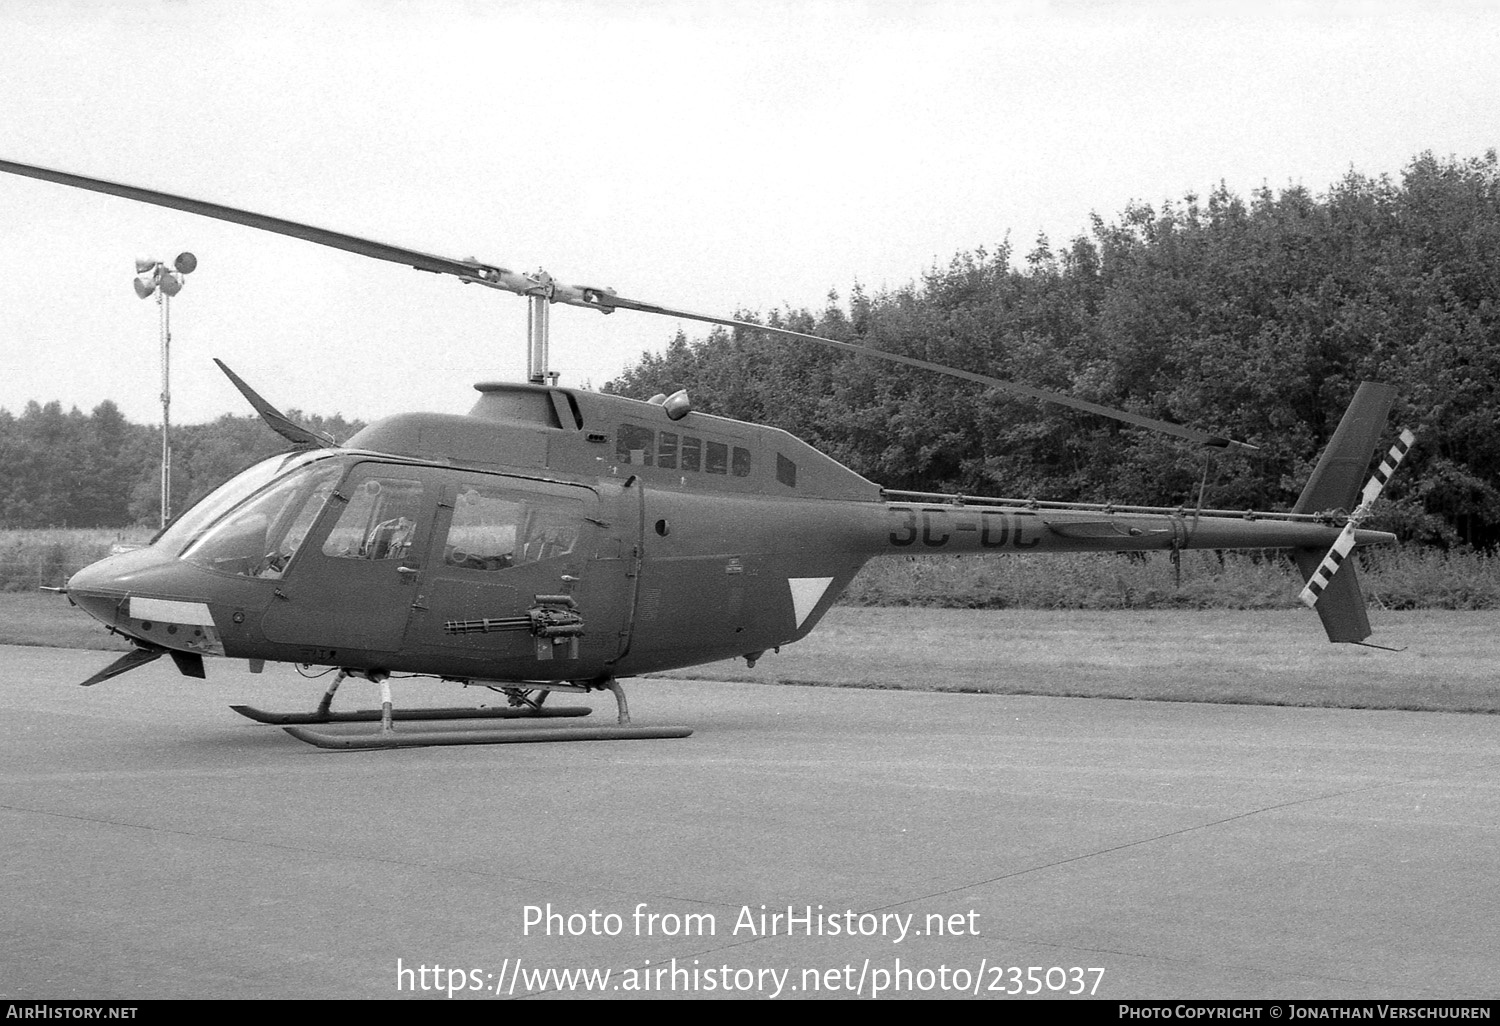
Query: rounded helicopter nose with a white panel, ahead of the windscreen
[{"x": 130, "y": 593}]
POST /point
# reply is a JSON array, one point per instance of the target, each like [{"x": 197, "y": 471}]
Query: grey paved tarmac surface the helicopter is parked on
[{"x": 157, "y": 845}]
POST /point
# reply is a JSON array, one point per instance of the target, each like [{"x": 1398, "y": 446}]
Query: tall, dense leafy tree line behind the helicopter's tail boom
[{"x": 1252, "y": 317}]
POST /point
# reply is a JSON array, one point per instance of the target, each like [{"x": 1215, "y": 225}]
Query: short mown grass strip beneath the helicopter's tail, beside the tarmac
[{"x": 1258, "y": 658}]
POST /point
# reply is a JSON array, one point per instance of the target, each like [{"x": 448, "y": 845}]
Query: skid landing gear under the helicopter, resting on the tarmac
[{"x": 526, "y": 703}]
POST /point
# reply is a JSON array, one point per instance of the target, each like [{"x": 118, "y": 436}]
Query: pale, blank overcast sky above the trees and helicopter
[{"x": 710, "y": 157}]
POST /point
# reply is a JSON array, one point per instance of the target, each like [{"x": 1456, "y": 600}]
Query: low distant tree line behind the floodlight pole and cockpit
[{"x": 101, "y": 472}]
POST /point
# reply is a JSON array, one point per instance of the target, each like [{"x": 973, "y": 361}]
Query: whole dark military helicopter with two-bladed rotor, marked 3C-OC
[{"x": 560, "y": 539}]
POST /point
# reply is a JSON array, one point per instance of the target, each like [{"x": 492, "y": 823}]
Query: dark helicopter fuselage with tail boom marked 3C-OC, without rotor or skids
[{"x": 569, "y": 536}]
